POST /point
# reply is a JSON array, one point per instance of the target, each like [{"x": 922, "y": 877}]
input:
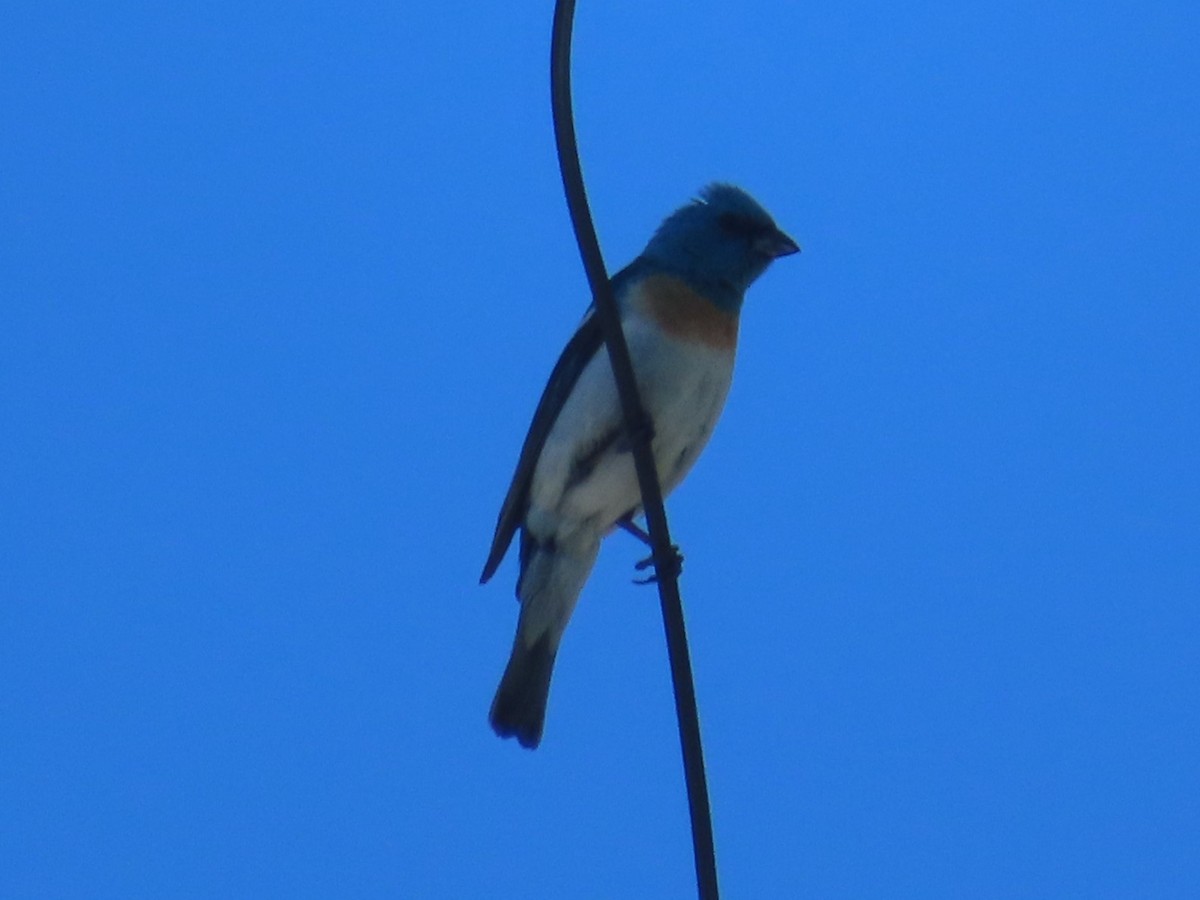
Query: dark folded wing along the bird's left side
[{"x": 579, "y": 352}]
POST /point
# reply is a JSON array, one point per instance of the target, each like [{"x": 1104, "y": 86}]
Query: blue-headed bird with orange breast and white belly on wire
[{"x": 680, "y": 303}]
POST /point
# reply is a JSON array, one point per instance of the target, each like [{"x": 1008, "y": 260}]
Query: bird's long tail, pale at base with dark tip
[{"x": 550, "y": 586}]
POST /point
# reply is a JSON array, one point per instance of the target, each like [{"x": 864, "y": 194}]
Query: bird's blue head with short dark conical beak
[{"x": 719, "y": 244}]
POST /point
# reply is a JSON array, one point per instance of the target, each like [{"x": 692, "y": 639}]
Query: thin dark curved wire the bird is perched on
[{"x": 639, "y": 428}]
